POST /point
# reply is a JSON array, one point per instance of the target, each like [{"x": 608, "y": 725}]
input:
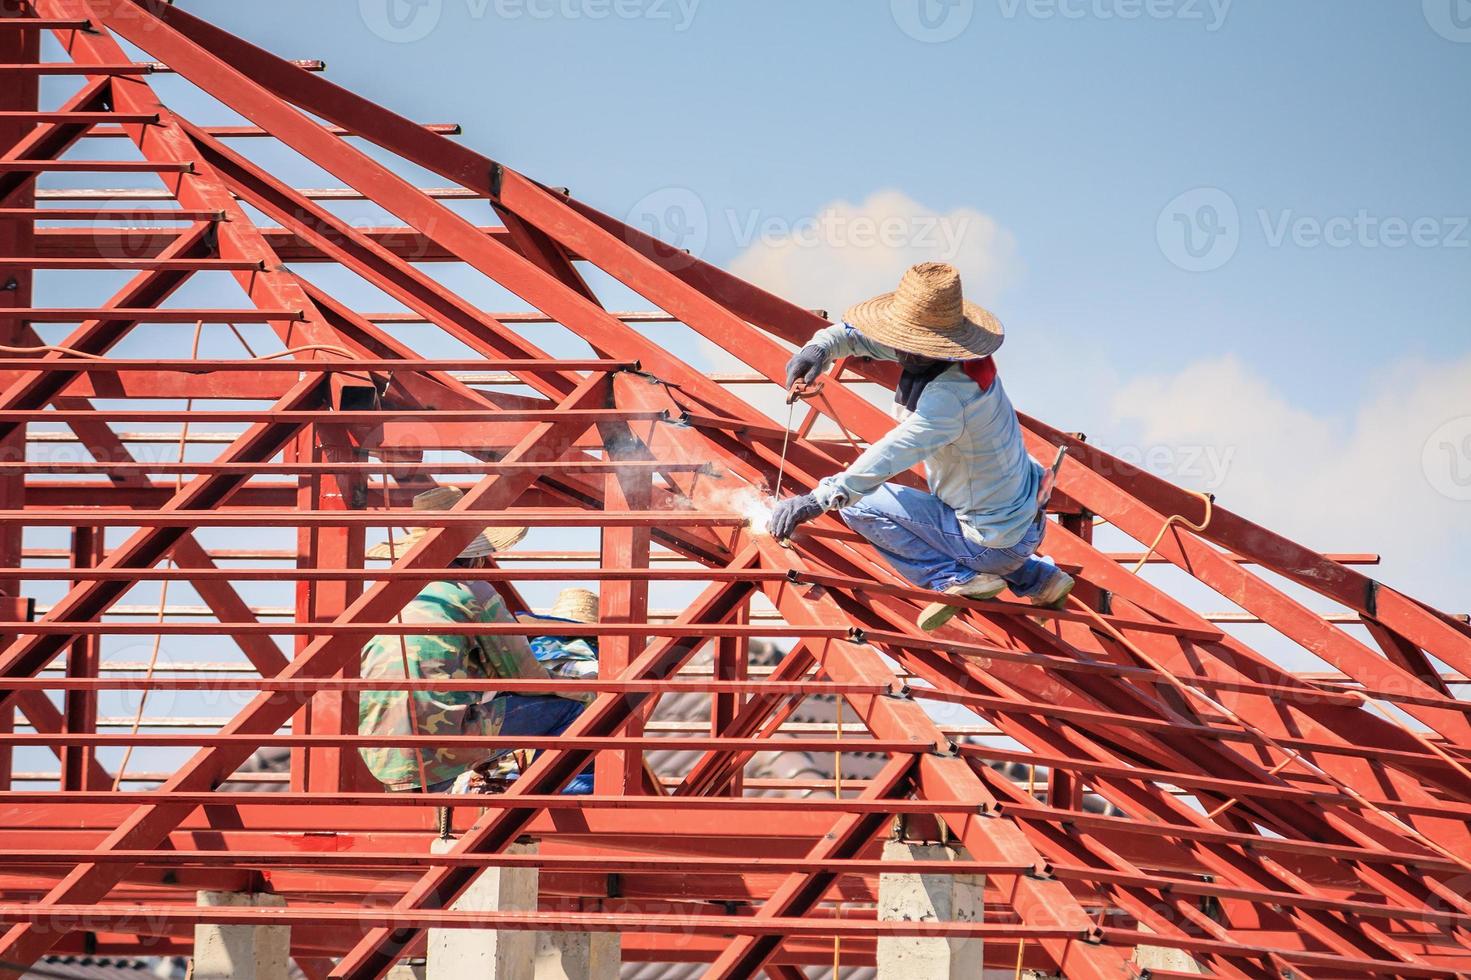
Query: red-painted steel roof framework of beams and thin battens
[{"x": 1130, "y": 773}]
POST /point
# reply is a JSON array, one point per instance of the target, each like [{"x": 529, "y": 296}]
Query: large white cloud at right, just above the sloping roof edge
[{"x": 1382, "y": 480}]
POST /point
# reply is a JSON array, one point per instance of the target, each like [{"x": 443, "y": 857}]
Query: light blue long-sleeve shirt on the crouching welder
[{"x": 969, "y": 441}]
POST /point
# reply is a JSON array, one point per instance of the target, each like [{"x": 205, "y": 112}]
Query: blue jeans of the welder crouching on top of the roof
[{"x": 922, "y": 538}]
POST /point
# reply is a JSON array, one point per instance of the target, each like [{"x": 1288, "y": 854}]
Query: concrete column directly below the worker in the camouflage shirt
[{"x": 485, "y": 953}]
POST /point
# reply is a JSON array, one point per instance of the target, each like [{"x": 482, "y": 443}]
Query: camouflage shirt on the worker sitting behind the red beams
[{"x": 451, "y": 657}]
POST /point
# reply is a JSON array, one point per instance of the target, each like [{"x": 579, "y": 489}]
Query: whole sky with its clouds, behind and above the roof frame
[{"x": 1229, "y": 239}]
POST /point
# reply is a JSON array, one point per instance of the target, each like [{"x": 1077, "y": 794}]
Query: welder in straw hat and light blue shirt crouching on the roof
[{"x": 979, "y": 528}]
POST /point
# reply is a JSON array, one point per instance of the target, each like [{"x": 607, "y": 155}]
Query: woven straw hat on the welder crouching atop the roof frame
[{"x": 927, "y": 316}]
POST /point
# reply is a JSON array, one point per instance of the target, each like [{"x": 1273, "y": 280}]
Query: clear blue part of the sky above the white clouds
[{"x": 1073, "y": 133}]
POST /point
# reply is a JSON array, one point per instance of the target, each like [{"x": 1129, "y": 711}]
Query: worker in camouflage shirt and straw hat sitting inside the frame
[{"x": 452, "y": 657}]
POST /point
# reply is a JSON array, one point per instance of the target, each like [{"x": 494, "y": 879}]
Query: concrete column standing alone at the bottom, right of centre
[{"x": 929, "y": 898}]
